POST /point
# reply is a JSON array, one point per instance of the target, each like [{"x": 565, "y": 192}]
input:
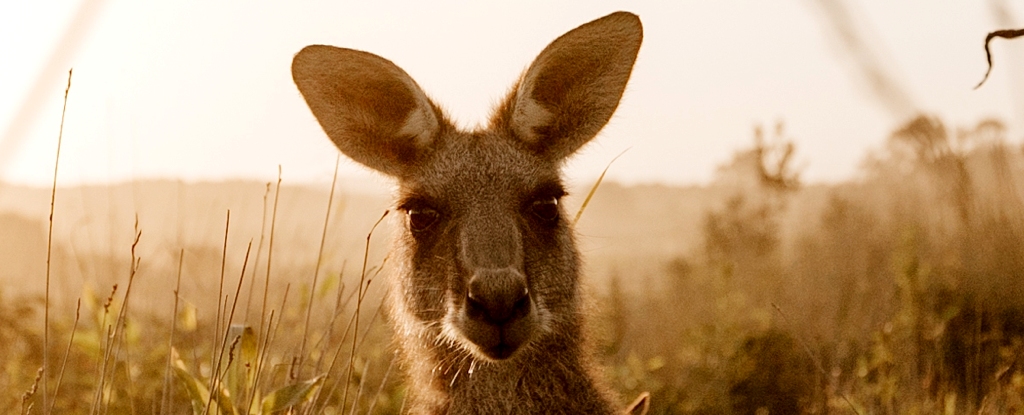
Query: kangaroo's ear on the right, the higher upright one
[{"x": 574, "y": 87}]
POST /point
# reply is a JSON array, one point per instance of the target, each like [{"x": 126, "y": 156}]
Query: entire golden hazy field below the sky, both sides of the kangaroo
[{"x": 899, "y": 293}]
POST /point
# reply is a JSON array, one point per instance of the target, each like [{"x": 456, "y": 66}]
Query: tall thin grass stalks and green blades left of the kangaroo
[{"x": 231, "y": 382}]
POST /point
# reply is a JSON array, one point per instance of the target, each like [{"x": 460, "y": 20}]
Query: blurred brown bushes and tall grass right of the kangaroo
[{"x": 904, "y": 297}]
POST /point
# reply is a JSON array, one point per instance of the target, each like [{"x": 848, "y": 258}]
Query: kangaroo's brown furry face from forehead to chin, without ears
[{"x": 493, "y": 253}]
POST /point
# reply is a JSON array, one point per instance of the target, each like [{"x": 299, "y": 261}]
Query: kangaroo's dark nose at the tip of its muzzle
[{"x": 498, "y": 297}]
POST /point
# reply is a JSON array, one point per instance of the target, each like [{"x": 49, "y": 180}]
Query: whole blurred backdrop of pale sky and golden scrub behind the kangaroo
[{"x": 817, "y": 212}]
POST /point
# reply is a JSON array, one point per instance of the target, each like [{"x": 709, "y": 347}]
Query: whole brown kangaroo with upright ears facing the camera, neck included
[{"x": 486, "y": 306}]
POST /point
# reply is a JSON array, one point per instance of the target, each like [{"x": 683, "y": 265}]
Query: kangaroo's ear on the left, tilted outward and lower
[{"x": 370, "y": 108}]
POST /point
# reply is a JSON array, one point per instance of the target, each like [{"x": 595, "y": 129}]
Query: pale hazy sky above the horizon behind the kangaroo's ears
[{"x": 202, "y": 90}]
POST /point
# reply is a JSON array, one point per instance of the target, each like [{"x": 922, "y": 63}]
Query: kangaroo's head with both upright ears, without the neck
[{"x": 488, "y": 258}]
